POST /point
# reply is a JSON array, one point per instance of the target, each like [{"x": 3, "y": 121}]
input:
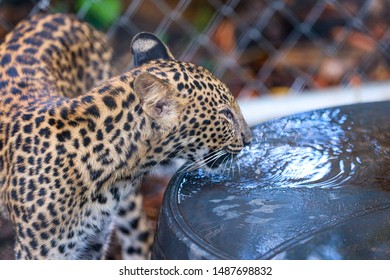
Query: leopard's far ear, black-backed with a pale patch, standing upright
[{"x": 146, "y": 47}]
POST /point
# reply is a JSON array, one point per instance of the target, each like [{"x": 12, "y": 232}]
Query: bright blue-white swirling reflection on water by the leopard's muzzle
[{"x": 310, "y": 150}]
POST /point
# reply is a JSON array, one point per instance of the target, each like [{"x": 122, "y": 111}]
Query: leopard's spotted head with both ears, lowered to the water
[{"x": 200, "y": 118}]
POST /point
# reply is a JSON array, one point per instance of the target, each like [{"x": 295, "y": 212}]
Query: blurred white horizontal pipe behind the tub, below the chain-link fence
[{"x": 264, "y": 108}]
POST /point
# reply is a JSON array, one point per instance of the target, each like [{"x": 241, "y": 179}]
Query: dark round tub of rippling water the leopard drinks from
[{"x": 314, "y": 185}]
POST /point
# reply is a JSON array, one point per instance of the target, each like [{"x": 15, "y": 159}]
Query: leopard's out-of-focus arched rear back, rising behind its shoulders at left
[{"x": 51, "y": 55}]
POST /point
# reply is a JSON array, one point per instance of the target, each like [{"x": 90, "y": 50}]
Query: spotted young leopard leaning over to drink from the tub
[{"x": 76, "y": 138}]
